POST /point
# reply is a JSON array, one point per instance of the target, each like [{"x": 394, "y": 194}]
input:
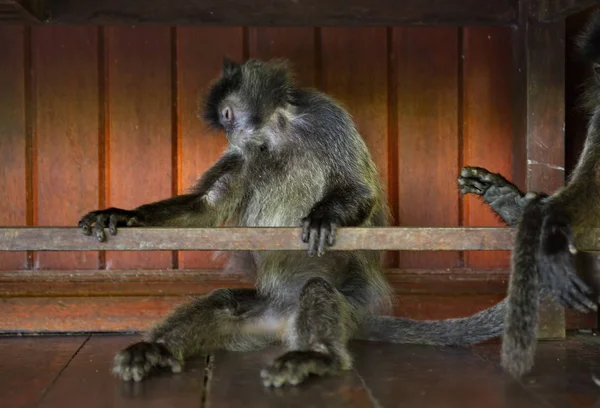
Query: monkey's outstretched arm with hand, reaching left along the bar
[{"x": 198, "y": 208}]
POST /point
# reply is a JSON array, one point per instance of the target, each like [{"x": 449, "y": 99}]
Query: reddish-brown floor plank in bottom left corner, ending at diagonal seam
[{"x": 29, "y": 366}]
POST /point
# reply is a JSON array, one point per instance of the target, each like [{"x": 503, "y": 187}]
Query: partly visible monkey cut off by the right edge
[{"x": 543, "y": 257}]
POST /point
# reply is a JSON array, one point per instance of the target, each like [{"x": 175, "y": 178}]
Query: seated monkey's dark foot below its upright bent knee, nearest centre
[{"x": 295, "y": 366}]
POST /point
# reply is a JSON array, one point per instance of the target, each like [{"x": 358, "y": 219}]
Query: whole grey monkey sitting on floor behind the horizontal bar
[{"x": 294, "y": 159}]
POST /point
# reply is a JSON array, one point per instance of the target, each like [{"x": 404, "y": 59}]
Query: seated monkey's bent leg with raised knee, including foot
[{"x": 317, "y": 339}]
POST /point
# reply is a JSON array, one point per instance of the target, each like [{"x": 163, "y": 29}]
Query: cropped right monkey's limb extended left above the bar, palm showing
[{"x": 501, "y": 195}]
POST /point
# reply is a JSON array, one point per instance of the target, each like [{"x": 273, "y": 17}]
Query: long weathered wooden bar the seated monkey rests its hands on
[{"x": 255, "y": 239}]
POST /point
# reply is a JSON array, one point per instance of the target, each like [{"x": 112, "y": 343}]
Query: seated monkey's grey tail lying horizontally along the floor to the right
[{"x": 460, "y": 331}]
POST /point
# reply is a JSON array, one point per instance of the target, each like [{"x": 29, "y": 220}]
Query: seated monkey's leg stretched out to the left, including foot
[{"x": 222, "y": 319}]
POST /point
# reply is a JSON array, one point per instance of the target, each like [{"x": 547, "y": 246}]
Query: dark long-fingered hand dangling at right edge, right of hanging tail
[{"x": 557, "y": 267}]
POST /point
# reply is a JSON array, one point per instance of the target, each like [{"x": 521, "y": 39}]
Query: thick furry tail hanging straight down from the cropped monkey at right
[{"x": 520, "y": 326}]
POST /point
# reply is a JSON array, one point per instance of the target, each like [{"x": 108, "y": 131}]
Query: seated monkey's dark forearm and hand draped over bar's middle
[{"x": 342, "y": 206}]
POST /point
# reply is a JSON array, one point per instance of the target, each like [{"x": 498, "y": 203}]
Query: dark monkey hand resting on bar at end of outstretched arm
[{"x": 111, "y": 218}]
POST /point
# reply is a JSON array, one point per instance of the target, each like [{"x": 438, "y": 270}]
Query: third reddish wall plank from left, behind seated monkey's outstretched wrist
[{"x": 140, "y": 128}]
